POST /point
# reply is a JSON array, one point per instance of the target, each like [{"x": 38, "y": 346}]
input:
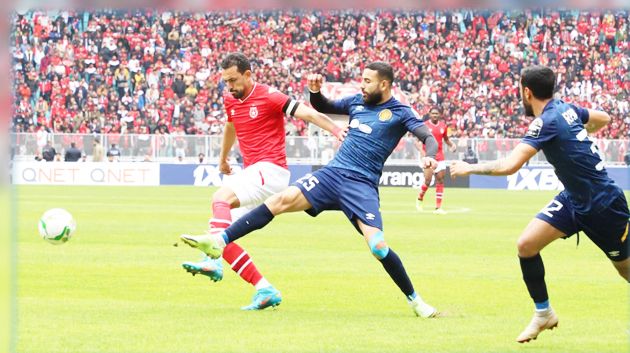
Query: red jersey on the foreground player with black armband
[{"x": 259, "y": 123}]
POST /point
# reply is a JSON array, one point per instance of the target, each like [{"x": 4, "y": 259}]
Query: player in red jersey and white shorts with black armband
[{"x": 256, "y": 118}]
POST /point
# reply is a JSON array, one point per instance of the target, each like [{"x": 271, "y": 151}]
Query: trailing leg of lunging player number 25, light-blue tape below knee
[{"x": 394, "y": 267}]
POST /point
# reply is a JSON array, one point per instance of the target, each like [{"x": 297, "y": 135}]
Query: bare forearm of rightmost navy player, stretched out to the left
[{"x": 505, "y": 166}]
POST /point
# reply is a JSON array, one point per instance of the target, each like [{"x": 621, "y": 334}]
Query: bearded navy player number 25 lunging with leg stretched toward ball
[{"x": 350, "y": 181}]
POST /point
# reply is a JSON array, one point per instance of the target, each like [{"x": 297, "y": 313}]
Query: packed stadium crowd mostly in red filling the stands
[{"x": 149, "y": 72}]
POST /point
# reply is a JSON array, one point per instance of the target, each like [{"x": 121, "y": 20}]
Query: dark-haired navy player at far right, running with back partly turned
[{"x": 591, "y": 202}]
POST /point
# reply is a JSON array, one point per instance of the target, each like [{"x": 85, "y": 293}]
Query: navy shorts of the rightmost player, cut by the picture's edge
[{"x": 608, "y": 228}]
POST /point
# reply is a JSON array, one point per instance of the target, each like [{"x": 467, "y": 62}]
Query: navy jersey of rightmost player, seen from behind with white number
[{"x": 559, "y": 131}]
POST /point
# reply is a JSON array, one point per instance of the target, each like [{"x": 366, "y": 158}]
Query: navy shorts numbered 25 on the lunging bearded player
[{"x": 332, "y": 188}]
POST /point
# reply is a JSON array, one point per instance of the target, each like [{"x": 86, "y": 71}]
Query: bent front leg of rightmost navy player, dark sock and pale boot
[{"x": 534, "y": 238}]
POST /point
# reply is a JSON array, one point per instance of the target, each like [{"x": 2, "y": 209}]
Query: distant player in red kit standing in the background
[{"x": 439, "y": 129}]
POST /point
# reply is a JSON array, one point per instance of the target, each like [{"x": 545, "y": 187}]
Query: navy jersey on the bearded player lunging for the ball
[{"x": 374, "y": 132}]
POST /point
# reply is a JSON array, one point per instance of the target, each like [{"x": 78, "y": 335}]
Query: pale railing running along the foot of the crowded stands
[{"x": 300, "y": 150}]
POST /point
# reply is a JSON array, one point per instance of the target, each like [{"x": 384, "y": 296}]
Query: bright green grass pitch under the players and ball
[{"x": 118, "y": 286}]
